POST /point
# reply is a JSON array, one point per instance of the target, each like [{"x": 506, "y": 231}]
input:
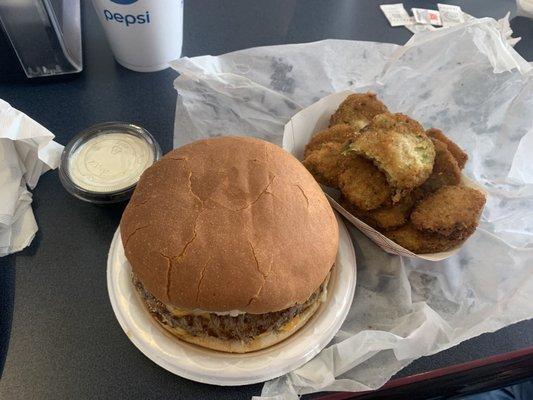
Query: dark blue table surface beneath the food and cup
[{"x": 64, "y": 339}]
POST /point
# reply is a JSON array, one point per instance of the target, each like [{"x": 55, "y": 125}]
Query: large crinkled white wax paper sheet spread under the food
[{"x": 466, "y": 80}]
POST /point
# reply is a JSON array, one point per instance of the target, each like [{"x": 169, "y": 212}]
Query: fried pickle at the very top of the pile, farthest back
[{"x": 358, "y": 110}]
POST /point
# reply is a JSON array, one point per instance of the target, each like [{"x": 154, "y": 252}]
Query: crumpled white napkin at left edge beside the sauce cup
[{"x": 26, "y": 152}]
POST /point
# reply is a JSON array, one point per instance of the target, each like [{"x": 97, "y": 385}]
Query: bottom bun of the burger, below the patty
[{"x": 262, "y": 341}]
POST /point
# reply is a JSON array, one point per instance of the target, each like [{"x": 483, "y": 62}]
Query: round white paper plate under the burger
[{"x": 213, "y": 367}]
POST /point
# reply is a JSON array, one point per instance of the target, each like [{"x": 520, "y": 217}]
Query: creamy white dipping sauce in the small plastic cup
[{"x": 109, "y": 162}]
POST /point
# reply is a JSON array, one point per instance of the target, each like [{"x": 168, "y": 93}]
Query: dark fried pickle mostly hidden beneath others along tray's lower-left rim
[{"x": 384, "y": 217}]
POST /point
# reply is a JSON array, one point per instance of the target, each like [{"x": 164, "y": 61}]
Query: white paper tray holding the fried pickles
[{"x": 299, "y": 131}]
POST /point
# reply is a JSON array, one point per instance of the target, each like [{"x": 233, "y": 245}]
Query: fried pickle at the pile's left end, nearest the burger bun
[{"x": 326, "y": 163}]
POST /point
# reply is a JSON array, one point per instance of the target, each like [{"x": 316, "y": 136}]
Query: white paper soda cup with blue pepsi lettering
[{"x": 144, "y": 35}]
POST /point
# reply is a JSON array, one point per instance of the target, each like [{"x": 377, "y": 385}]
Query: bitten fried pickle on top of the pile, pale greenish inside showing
[{"x": 399, "y": 147}]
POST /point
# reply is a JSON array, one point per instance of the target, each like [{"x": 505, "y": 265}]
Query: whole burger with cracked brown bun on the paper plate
[{"x": 231, "y": 243}]
